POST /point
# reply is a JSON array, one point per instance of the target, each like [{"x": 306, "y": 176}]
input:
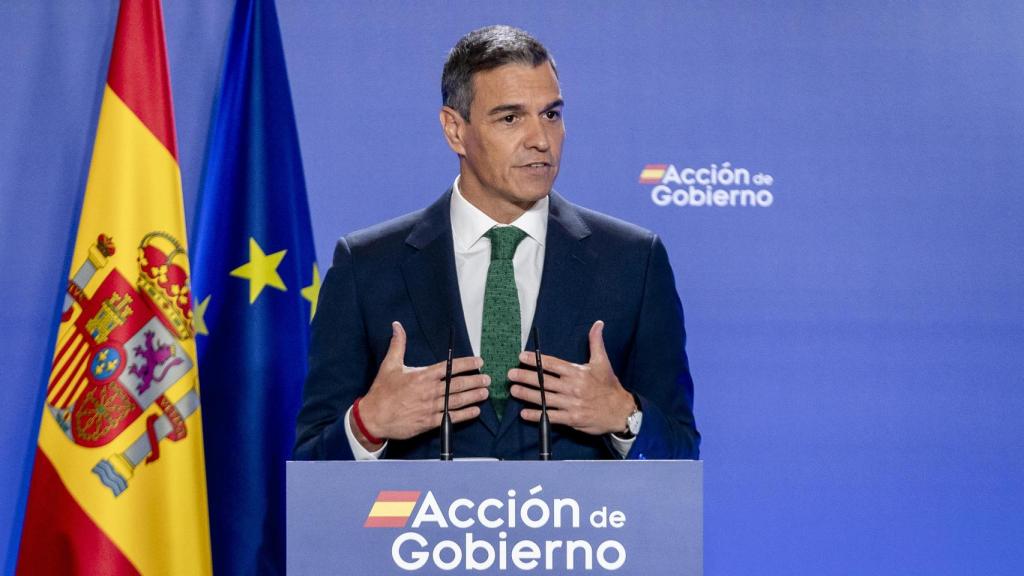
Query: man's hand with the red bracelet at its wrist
[{"x": 406, "y": 401}]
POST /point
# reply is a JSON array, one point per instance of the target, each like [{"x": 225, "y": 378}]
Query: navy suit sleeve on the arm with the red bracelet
[{"x": 339, "y": 365}]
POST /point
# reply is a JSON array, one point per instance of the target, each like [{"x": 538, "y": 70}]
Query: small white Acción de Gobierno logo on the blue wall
[{"x": 721, "y": 186}]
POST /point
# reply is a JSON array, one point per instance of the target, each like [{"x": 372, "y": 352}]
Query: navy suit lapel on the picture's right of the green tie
[{"x": 566, "y": 286}]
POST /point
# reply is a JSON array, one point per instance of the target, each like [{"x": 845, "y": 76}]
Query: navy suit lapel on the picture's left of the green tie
[{"x": 434, "y": 289}]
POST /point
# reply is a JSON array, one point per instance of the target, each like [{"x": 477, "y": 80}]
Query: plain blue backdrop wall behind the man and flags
[{"x": 858, "y": 345}]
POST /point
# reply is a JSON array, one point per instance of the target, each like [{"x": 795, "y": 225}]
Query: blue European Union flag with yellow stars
[{"x": 255, "y": 284}]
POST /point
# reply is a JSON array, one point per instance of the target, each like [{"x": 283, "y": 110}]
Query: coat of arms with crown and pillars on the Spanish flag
[{"x": 122, "y": 353}]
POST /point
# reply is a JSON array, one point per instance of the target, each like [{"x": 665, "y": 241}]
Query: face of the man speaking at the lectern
[{"x": 514, "y": 145}]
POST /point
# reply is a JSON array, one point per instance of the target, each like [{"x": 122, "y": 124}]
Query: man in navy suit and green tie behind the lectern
[{"x": 496, "y": 255}]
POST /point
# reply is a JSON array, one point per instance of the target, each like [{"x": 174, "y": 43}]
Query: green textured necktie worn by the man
[{"x": 500, "y": 335}]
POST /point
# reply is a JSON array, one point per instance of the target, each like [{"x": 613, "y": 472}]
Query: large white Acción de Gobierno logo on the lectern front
[{"x": 471, "y": 536}]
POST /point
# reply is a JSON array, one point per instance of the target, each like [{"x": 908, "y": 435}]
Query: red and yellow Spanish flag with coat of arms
[{"x": 119, "y": 484}]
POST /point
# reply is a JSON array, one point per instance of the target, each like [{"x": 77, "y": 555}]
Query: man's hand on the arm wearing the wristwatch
[{"x": 588, "y": 398}]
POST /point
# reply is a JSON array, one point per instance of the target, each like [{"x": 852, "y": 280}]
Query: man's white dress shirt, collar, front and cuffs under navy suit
[{"x": 473, "y": 258}]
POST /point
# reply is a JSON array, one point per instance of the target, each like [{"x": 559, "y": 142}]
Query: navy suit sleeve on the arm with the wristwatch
[{"x": 659, "y": 371}]
